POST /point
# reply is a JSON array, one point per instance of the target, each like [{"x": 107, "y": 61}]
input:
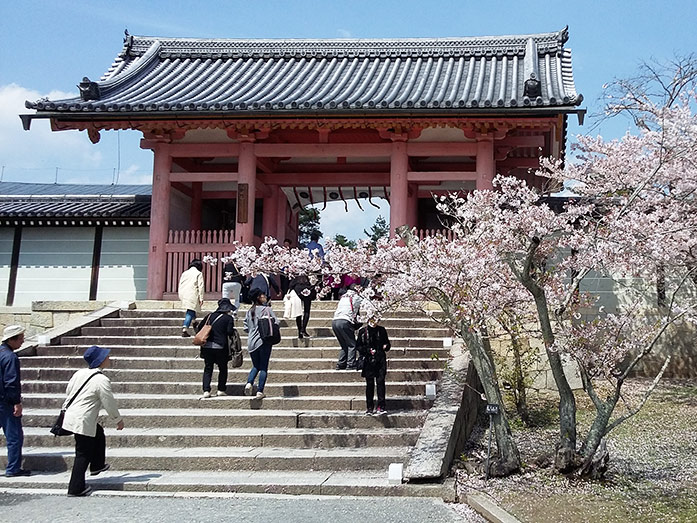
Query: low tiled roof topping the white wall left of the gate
[{"x": 27, "y": 200}]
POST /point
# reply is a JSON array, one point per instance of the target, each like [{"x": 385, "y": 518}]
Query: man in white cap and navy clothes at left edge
[{"x": 11, "y": 399}]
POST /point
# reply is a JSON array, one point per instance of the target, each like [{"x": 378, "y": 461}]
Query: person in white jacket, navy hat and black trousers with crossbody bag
[{"x": 81, "y": 418}]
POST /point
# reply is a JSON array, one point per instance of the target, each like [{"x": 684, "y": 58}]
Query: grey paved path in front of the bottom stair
[{"x": 17, "y": 505}]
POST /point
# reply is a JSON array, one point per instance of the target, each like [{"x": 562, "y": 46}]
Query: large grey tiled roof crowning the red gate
[{"x": 294, "y": 77}]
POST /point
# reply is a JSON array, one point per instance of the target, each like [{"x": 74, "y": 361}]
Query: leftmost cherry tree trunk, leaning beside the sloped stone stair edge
[{"x": 509, "y": 458}]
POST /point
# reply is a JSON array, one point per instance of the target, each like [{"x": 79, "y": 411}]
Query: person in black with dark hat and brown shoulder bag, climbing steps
[{"x": 216, "y": 349}]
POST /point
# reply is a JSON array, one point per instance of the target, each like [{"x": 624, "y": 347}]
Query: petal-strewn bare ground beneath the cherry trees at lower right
[{"x": 652, "y": 474}]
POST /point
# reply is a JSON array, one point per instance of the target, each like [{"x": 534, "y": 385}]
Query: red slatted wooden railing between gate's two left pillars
[{"x": 184, "y": 246}]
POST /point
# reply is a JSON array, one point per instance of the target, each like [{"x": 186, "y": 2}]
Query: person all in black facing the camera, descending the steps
[{"x": 372, "y": 343}]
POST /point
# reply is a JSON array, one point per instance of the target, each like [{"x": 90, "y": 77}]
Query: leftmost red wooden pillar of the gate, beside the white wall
[{"x": 159, "y": 221}]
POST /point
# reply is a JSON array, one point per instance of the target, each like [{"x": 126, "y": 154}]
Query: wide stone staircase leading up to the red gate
[{"x": 308, "y": 436}]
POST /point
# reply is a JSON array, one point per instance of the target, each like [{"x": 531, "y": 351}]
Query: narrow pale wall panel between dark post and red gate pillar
[{"x": 123, "y": 271}]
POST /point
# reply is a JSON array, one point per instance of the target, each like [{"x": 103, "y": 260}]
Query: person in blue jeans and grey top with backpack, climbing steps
[{"x": 259, "y": 348}]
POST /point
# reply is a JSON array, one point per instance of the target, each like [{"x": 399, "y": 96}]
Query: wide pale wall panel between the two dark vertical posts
[{"x": 54, "y": 264}]
